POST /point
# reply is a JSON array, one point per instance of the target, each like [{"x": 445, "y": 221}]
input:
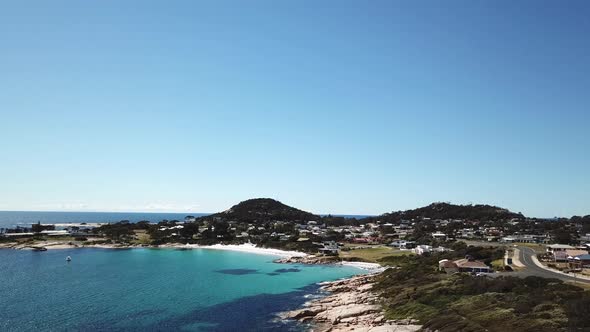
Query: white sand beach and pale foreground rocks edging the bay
[{"x": 349, "y": 305}]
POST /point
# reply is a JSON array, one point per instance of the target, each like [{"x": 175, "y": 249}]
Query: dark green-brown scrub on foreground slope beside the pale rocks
[{"x": 462, "y": 302}]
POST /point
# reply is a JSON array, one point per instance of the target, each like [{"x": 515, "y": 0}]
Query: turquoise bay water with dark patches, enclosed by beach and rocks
[{"x": 152, "y": 290}]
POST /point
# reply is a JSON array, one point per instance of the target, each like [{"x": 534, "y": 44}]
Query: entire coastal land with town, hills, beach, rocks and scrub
[{"x": 477, "y": 248}]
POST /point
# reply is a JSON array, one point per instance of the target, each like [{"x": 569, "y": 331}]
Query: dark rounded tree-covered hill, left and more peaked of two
[{"x": 261, "y": 210}]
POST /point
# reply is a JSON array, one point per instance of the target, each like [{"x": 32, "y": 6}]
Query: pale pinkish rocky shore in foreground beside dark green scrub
[{"x": 351, "y": 306}]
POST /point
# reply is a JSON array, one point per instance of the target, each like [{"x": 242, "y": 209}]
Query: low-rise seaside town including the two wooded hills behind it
[{"x": 563, "y": 240}]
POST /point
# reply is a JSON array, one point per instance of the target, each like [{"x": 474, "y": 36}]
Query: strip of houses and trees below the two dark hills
[{"x": 420, "y": 234}]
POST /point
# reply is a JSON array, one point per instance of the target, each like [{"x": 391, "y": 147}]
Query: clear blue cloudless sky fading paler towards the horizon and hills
[{"x": 352, "y": 107}]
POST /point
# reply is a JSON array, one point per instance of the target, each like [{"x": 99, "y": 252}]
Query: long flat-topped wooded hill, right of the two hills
[{"x": 452, "y": 211}]
